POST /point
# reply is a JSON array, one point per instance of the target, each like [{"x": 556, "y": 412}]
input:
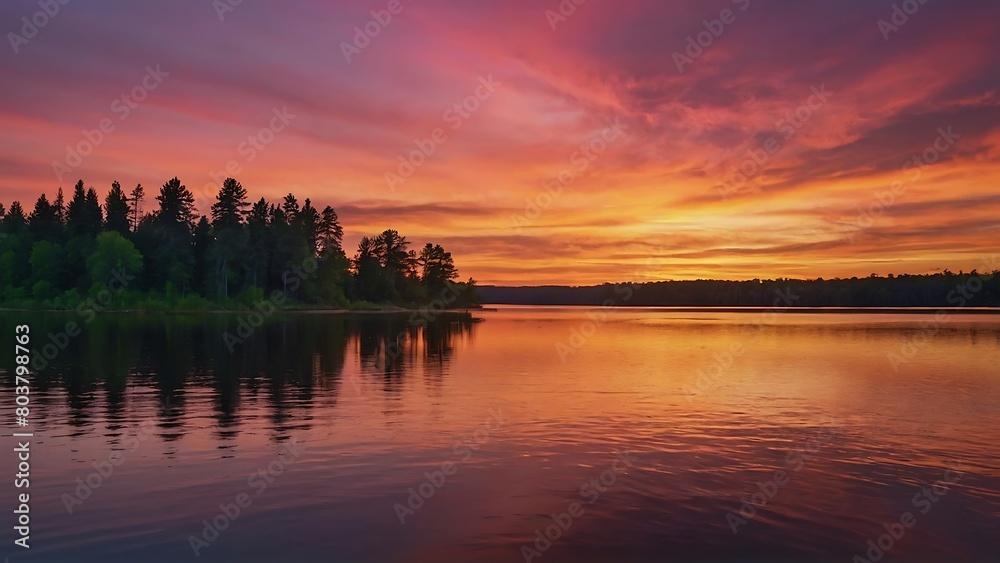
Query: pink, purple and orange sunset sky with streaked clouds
[{"x": 656, "y": 198}]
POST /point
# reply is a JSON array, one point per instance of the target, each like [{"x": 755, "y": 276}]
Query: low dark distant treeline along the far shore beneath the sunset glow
[{"x": 947, "y": 289}]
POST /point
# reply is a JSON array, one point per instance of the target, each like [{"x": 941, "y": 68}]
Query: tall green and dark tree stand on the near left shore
[{"x": 62, "y": 252}]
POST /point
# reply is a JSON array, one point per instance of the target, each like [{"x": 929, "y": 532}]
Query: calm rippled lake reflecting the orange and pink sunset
[{"x": 524, "y": 433}]
